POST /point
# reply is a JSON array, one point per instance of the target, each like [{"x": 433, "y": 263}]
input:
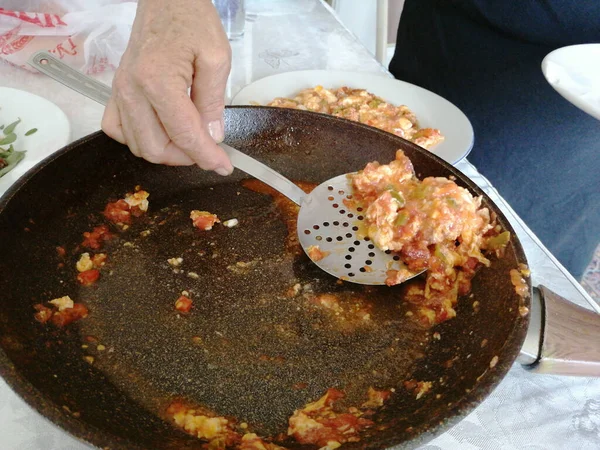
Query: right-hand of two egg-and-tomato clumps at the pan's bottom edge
[{"x": 319, "y": 424}]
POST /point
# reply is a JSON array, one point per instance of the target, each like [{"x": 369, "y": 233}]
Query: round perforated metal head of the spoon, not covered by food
[{"x": 329, "y": 225}]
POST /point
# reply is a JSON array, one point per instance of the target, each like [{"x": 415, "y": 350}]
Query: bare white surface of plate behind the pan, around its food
[{"x": 432, "y": 111}]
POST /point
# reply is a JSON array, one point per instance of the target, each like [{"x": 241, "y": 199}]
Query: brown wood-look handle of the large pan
[{"x": 569, "y": 341}]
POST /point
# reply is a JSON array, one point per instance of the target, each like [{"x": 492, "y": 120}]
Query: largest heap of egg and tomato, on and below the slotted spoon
[{"x": 433, "y": 224}]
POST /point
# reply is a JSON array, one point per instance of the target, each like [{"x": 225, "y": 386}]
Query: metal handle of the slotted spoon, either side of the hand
[{"x": 85, "y": 85}]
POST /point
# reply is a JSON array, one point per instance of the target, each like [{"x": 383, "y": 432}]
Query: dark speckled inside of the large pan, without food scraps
[{"x": 258, "y": 352}]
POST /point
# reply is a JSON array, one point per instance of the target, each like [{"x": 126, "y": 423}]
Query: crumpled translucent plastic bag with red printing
[{"x": 89, "y": 35}]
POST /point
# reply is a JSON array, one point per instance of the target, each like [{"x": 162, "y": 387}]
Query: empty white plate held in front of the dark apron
[{"x": 574, "y": 72}]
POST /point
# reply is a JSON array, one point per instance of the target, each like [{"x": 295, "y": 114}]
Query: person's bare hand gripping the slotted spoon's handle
[{"x": 174, "y": 45}]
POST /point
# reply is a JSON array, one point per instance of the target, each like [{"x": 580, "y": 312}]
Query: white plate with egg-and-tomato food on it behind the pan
[{"x": 402, "y": 108}]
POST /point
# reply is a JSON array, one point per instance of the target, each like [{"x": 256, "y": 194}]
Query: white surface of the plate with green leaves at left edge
[{"x": 53, "y": 129}]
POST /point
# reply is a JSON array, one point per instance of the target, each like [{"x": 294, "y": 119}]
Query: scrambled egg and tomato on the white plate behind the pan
[{"x": 362, "y": 106}]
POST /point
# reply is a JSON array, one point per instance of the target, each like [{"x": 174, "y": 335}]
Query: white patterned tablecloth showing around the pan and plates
[{"x": 526, "y": 411}]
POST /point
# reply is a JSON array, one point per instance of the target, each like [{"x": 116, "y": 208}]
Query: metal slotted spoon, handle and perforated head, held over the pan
[{"x": 324, "y": 220}]
